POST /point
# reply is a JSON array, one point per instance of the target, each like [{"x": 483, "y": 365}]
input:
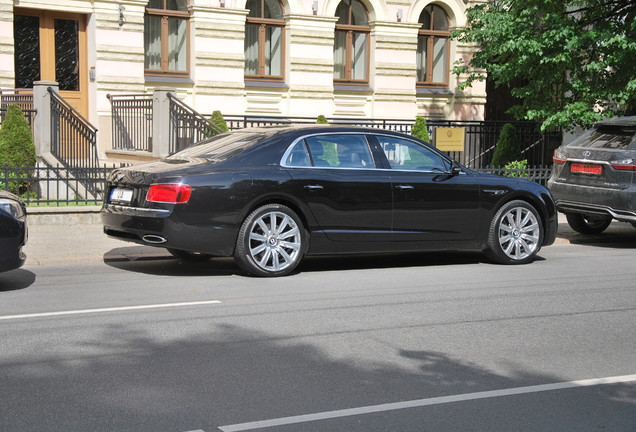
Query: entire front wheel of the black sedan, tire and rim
[{"x": 515, "y": 235}]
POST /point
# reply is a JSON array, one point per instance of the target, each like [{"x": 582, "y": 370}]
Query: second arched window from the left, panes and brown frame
[{"x": 264, "y": 36}]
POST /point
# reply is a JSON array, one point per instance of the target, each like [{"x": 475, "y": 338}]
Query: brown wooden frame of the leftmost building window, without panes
[{"x": 165, "y": 15}]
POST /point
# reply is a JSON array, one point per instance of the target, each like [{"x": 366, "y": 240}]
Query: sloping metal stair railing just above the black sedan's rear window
[{"x": 187, "y": 126}]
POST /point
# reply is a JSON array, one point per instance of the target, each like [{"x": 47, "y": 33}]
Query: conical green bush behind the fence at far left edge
[{"x": 16, "y": 149}]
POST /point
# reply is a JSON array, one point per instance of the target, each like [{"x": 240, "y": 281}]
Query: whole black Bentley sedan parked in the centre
[{"x": 270, "y": 196}]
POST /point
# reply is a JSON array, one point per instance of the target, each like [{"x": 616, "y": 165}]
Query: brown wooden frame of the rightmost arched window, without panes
[{"x": 430, "y": 34}]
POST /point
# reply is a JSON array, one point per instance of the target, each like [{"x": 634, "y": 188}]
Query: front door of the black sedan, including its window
[{"x": 429, "y": 203}]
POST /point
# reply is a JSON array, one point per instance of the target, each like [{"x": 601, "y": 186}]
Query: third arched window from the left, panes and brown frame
[{"x": 351, "y": 46}]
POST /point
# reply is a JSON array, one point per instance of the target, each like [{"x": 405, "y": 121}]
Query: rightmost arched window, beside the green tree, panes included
[{"x": 433, "y": 48}]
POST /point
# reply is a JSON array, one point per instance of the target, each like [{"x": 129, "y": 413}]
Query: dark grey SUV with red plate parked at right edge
[{"x": 593, "y": 176}]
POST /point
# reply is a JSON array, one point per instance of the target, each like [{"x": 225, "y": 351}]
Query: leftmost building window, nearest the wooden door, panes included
[{"x": 166, "y": 25}]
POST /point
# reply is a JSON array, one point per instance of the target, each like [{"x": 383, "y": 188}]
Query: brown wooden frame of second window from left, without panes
[{"x": 263, "y": 24}]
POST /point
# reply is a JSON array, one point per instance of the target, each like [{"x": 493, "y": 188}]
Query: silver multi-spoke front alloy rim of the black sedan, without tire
[{"x": 519, "y": 233}]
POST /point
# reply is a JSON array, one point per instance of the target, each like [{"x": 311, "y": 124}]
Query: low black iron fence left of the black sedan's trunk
[{"x": 56, "y": 186}]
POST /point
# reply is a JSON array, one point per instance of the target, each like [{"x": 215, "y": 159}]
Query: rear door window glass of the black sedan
[{"x": 341, "y": 151}]
